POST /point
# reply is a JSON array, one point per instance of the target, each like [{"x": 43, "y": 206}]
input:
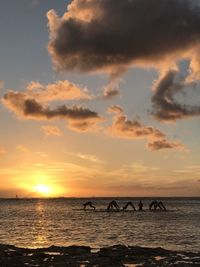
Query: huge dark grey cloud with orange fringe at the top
[{"x": 110, "y": 36}]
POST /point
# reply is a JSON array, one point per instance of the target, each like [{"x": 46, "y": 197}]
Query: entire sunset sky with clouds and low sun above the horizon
[{"x": 99, "y": 98}]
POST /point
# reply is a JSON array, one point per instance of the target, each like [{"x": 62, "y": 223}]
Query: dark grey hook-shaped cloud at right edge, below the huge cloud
[{"x": 165, "y": 106}]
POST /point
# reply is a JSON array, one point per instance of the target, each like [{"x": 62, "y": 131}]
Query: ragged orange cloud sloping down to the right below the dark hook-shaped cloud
[{"x": 124, "y": 128}]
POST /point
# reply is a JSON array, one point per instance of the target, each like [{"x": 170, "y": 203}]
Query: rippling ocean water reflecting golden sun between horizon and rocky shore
[{"x": 36, "y": 223}]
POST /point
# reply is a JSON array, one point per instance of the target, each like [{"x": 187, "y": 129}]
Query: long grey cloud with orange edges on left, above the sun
[{"x": 78, "y": 118}]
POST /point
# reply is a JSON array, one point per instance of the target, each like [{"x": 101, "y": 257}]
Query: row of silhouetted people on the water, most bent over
[{"x": 154, "y": 205}]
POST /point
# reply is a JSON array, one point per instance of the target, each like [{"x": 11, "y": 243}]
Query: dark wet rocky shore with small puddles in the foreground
[{"x": 82, "y": 256}]
